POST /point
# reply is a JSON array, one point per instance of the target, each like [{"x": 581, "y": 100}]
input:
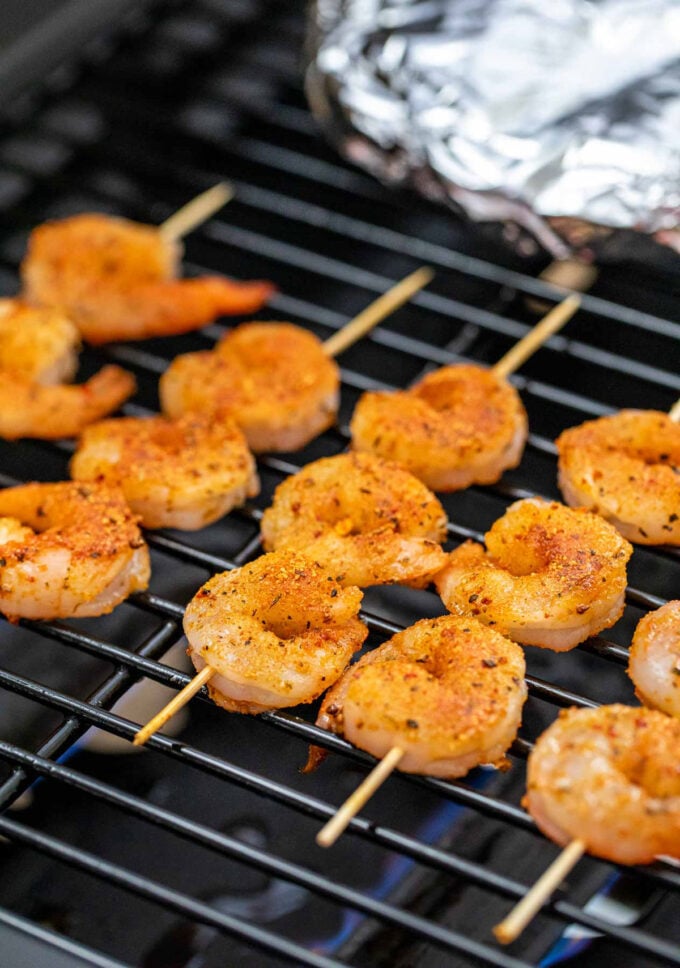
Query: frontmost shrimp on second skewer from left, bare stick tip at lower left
[{"x": 277, "y": 632}]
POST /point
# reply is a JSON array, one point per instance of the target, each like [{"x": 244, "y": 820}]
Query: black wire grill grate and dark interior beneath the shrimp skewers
[{"x": 199, "y": 851}]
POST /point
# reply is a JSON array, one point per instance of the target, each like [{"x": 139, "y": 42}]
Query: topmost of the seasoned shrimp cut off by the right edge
[{"x": 625, "y": 468}]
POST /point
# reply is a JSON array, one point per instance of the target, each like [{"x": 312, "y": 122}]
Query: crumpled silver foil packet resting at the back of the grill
[{"x": 557, "y": 121}]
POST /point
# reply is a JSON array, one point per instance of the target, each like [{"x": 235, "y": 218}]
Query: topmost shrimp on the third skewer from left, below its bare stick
[{"x": 460, "y": 425}]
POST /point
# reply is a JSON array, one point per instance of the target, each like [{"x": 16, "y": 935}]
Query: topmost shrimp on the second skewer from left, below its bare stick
[{"x": 274, "y": 379}]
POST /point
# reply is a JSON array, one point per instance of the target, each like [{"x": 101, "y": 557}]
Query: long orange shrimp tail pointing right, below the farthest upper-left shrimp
[{"x": 167, "y": 308}]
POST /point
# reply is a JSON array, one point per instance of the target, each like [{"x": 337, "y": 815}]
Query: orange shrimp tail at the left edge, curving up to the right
[{"x": 28, "y": 409}]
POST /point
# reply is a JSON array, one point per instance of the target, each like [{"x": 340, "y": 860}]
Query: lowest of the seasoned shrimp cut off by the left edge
[{"x": 68, "y": 550}]
